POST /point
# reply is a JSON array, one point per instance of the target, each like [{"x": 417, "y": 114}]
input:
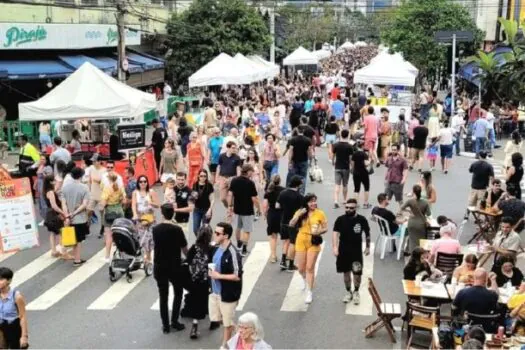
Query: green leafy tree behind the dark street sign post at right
[{"x": 413, "y": 25}]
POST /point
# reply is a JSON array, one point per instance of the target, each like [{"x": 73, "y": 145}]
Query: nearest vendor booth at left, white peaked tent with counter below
[{"x": 90, "y": 94}]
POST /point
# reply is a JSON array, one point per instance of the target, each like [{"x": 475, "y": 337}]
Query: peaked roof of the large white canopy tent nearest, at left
[{"x": 88, "y": 93}]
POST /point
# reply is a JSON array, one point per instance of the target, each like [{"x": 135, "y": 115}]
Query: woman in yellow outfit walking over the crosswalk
[{"x": 311, "y": 223}]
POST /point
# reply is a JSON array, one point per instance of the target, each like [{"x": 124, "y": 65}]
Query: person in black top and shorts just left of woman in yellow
[{"x": 289, "y": 201}]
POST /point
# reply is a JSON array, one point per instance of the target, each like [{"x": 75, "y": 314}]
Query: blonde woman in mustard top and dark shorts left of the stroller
[{"x": 113, "y": 197}]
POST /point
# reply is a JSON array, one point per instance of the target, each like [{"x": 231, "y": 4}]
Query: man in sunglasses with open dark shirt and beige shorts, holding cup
[{"x": 226, "y": 281}]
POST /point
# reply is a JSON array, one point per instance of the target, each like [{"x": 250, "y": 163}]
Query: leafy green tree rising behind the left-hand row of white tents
[{"x": 210, "y": 27}]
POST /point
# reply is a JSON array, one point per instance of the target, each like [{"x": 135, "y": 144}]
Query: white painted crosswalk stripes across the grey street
[{"x": 77, "y": 280}]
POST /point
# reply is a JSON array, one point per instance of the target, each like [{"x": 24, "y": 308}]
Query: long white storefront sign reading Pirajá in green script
[{"x": 31, "y": 36}]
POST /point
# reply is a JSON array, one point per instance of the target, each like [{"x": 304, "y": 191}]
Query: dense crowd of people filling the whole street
[{"x": 233, "y": 160}]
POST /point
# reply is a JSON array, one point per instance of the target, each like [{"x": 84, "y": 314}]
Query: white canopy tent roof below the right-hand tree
[{"x": 383, "y": 74}]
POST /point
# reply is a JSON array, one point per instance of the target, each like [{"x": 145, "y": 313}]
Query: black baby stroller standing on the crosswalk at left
[{"x": 128, "y": 257}]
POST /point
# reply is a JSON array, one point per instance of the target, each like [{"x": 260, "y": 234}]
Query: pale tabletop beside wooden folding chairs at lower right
[{"x": 438, "y": 291}]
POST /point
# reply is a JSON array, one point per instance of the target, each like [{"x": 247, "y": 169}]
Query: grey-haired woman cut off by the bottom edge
[{"x": 250, "y": 334}]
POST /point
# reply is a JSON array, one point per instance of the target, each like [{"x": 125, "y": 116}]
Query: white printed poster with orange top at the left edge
[{"x": 18, "y": 228}]
